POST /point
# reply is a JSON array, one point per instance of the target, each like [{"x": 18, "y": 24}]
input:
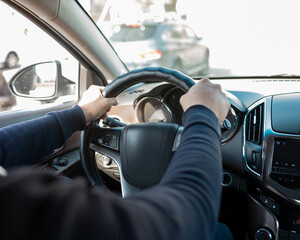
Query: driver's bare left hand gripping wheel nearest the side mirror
[{"x": 94, "y": 105}]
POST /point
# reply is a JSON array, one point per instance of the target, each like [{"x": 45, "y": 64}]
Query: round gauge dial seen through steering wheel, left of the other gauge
[{"x": 151, "y": 109}]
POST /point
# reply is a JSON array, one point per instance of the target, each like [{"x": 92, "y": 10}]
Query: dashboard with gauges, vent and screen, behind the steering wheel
[{"x": 260, "y": 142}]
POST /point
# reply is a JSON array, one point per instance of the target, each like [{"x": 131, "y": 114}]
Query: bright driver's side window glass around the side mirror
[{"x": 24, "y": 44}]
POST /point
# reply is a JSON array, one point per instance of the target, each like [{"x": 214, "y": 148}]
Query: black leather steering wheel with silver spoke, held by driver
[{"x": 141, "y": 151}]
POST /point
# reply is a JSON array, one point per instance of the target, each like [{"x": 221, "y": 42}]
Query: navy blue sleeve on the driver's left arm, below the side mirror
[{"x": 28, "y": 142}]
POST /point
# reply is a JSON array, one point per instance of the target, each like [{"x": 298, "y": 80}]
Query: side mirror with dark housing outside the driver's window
[{"x": 41, "y": 81}]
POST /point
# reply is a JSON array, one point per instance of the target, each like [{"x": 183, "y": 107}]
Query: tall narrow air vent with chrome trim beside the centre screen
[{"x": 254, "y": 125}]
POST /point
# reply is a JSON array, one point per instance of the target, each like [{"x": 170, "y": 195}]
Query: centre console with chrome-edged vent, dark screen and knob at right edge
[{"x": 272, "y": 157}]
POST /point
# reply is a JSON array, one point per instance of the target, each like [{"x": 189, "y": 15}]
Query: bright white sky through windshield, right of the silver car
[{"x": 248, "y": 36}]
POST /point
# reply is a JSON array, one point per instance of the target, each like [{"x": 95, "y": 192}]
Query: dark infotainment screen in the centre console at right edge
[{"x": 286, "y": 163}]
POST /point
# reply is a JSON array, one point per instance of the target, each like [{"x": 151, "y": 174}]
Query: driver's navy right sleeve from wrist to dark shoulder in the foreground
[{"x": 184, "y": 205}]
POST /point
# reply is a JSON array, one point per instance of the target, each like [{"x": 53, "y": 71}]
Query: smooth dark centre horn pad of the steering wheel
[{"x": 146, "y": 150}]
